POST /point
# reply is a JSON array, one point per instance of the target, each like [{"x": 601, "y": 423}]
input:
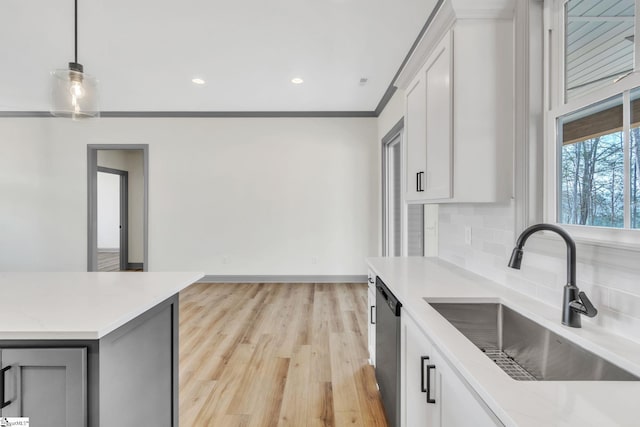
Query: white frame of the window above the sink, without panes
[{"x": 556, "y": 107}]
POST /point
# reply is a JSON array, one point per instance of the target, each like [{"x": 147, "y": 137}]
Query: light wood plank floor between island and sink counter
[{"x": 276, "y": 355}]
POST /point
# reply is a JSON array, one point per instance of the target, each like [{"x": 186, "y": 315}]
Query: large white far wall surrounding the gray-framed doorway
[{"x": 226, "y": 196}]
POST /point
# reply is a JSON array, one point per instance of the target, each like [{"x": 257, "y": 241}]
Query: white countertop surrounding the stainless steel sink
[{"x": 516, "y": 403}]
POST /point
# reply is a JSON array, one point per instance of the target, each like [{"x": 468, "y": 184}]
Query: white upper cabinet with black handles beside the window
[{"x": 459, "y": 107}]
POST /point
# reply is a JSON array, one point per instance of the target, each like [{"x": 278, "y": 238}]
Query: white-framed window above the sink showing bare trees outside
[{"x": 593, "y": 124}]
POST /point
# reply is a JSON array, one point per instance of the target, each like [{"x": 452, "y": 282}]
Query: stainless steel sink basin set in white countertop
[{"x": 524, "y": 349}]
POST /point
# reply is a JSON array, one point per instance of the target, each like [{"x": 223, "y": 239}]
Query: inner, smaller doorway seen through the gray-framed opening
[{"x": 113, "y": 217}]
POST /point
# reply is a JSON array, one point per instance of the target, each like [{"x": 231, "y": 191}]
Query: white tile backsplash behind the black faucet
[{"x": 615, "y": 291}]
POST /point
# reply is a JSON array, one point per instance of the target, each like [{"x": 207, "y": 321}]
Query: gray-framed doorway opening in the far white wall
[{"x": 117, "y": 231}]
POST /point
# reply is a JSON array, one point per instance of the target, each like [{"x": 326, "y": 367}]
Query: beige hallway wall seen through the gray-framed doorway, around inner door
[{"x": 131, "y": 161}]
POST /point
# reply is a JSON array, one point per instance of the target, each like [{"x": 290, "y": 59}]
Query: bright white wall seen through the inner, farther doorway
[{"x": 108, "y": 211}]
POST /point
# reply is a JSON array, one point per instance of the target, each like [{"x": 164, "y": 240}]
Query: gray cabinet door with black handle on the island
[{"x": 48, "y": 385}]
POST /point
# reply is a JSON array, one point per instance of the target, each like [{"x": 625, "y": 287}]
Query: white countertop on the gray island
[{"x": 80, "y": 305}]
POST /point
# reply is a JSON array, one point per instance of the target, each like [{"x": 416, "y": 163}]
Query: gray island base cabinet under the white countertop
[{"x": 127, "y": 378}]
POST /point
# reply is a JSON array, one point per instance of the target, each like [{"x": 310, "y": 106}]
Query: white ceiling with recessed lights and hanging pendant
[{"x": 146, "y": 52}]
